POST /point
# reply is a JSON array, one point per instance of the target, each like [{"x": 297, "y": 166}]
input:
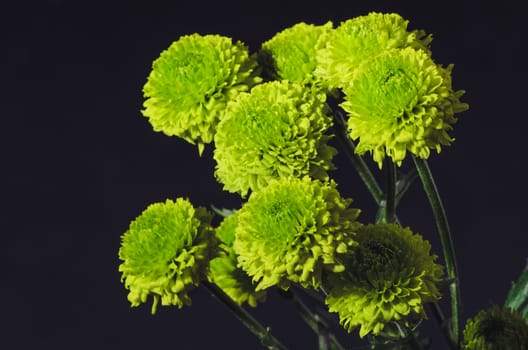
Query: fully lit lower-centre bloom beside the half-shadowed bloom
[{"x": 292, "y": 230}]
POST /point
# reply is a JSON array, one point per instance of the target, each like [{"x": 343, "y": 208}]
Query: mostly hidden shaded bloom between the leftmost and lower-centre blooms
[{"x": 224, "y": 272}]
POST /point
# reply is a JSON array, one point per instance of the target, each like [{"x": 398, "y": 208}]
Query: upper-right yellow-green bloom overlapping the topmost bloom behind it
[{"x": 401, "y": 101}]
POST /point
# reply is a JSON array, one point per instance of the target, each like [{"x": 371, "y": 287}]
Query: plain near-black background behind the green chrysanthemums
[{"x": 79, "y": 162}]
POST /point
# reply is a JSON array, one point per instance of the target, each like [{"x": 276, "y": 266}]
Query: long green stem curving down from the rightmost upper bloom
[{"x": 447, "y": 243}]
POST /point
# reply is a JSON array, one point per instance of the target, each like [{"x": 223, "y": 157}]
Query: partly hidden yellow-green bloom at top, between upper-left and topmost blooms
[{"x": 293, "y": 51}]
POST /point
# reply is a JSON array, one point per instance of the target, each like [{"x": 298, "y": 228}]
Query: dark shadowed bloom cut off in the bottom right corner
[{"x": 496, "y": 329}]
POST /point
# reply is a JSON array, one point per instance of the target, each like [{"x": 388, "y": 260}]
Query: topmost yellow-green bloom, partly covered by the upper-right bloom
[{"x": 361, "y": 38}]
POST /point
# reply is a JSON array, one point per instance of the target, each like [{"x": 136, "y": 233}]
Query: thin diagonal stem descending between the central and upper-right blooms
[{"x": 358, "y": 162}]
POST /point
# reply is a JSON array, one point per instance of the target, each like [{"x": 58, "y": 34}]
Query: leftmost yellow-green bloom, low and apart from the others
[{"x": 166, "y": 253}]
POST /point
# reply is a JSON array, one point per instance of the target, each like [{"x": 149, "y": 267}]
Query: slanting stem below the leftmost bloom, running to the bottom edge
[{"x": 263, "y": 333}]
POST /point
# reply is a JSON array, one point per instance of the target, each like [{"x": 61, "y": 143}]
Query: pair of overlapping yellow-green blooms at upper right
[{"x": 397, "y": 98}]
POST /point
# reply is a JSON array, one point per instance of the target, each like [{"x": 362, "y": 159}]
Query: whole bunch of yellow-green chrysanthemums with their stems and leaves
[{"x": 372, "y": 85}]
